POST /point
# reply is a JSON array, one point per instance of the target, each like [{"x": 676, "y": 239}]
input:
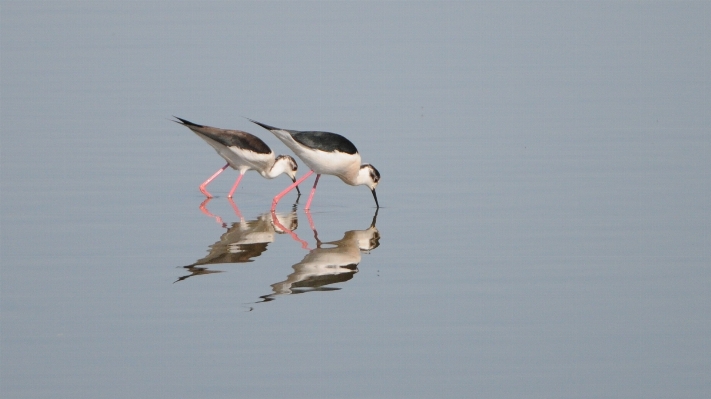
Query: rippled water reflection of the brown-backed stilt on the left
[{"x": 243, "y": 241}]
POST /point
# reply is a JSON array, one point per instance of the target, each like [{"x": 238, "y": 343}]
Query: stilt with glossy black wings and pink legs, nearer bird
[{"x": 326, "y": 153}]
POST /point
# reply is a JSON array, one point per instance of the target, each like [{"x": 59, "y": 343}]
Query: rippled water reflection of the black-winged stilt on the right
[{"x": 329, "y": 263}]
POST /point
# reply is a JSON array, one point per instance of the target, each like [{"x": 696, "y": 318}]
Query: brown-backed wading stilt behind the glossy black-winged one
[{"x": 242, "y": 151}]
